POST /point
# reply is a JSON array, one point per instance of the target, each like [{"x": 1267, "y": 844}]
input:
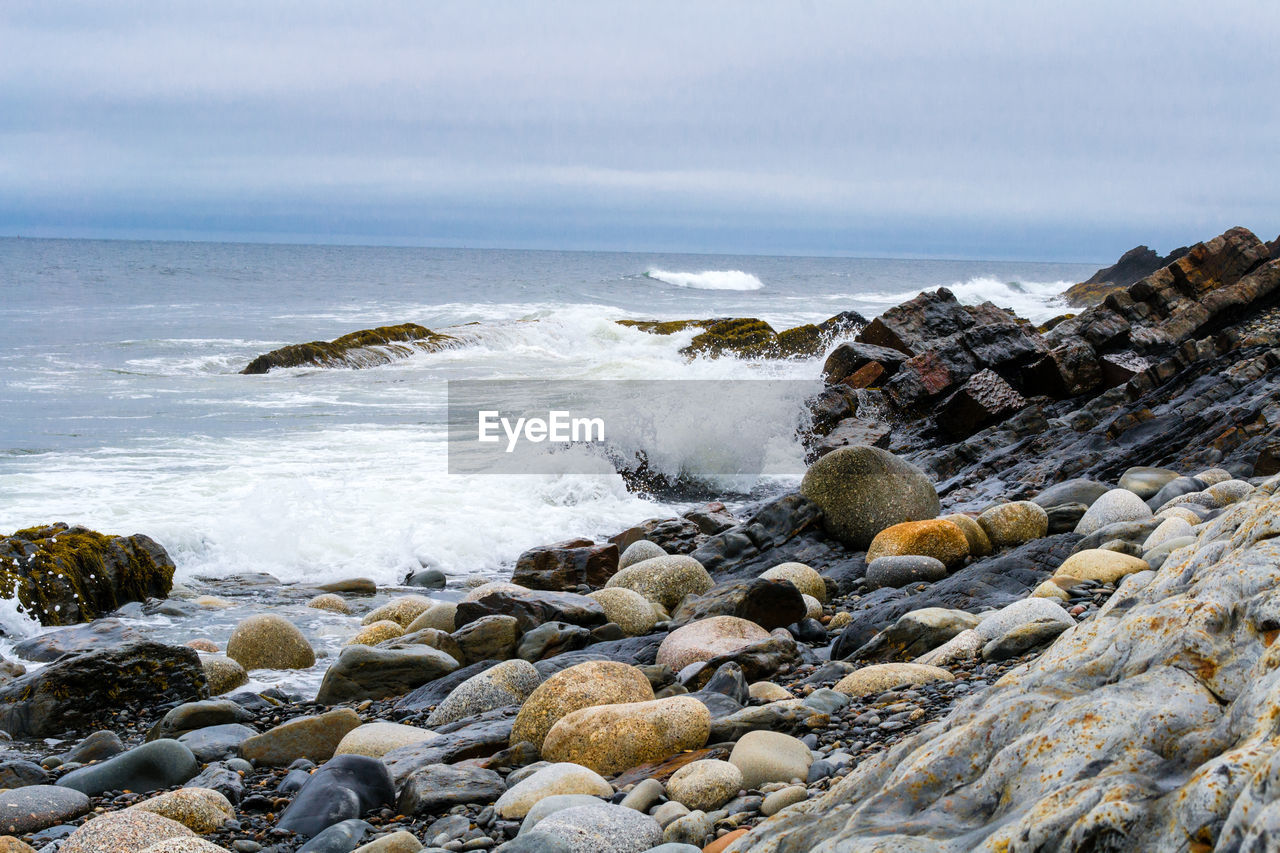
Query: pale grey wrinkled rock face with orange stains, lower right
[{"x": 1154, "y": 727}]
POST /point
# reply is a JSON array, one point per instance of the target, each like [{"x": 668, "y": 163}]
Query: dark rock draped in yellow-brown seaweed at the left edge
[{"x": 65, "y": 576}]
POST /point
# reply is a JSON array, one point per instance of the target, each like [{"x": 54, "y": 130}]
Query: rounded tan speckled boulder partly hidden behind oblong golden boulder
[{"x": 573, "y": 690}]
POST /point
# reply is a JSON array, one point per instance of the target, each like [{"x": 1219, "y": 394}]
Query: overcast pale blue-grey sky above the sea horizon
[{"x": 880, "y": 129}]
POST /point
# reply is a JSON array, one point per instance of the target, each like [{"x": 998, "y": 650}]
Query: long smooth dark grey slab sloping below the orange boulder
[{"x": 994, "y": 582}]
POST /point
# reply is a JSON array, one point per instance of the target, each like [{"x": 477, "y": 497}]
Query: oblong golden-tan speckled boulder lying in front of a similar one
[{"x": 612, "y": 738}]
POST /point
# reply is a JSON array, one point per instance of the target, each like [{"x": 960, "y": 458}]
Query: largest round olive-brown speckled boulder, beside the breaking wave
[{"x": 865, "y": 490}]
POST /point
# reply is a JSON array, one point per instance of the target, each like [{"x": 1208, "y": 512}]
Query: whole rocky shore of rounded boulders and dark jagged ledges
[{"x": 1023, "y": 600}]
